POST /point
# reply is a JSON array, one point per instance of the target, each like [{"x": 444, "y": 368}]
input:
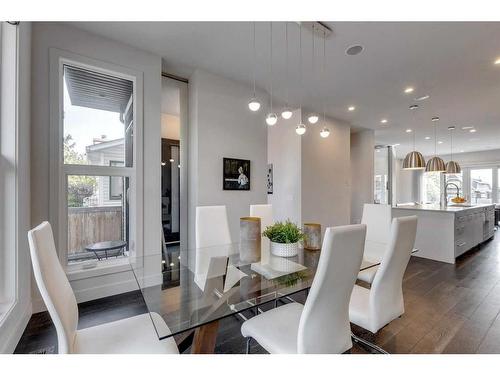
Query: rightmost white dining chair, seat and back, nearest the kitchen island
[{"x": 375, "y": 307}]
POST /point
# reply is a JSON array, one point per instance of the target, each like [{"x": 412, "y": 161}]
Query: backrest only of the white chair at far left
[{"x": 54, "y": 285}]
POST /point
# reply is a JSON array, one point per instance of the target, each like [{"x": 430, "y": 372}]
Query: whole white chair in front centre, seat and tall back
[{"x": 322, "y": 324}]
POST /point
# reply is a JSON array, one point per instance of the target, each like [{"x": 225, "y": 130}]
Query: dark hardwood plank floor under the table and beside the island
[{"x": 448, "y": 309}]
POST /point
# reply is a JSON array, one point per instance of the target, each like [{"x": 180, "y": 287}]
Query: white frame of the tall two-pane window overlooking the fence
[{"x": 58, "y": 210}]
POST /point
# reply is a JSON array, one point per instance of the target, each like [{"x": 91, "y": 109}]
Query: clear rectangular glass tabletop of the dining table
[{"x": 189, "y": 288}]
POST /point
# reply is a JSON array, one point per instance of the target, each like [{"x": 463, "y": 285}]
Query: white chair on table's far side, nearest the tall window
[{"x": 213, "y": 239}]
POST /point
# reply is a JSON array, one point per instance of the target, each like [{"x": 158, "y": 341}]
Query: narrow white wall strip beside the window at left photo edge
[{"x": 17, "y": 318}]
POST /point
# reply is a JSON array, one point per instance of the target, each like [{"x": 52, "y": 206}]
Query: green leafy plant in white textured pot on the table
[{"x": 285, "y": 238}]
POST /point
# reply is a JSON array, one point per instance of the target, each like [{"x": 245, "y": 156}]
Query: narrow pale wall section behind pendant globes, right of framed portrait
[{"x": 284, "y": 152}]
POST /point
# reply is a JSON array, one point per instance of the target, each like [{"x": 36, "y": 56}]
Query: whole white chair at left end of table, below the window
[{"x": 131, "y": 335}]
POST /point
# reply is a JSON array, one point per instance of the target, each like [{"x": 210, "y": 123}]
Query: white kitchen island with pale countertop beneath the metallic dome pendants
[{"x": 446, "y": 232}]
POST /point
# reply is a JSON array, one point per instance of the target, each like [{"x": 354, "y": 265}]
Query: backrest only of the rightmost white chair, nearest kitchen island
[{"x": 386, "y": 293}]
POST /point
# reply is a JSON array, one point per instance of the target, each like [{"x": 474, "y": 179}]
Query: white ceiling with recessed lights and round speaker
[{"x": 451, "y": 62}]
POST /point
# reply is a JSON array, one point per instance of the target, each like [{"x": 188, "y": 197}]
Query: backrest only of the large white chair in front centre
[{"x": 324, "y": 323}]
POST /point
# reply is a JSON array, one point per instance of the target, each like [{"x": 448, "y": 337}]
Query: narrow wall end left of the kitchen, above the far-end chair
[{"x": 362, "y": 165}]
